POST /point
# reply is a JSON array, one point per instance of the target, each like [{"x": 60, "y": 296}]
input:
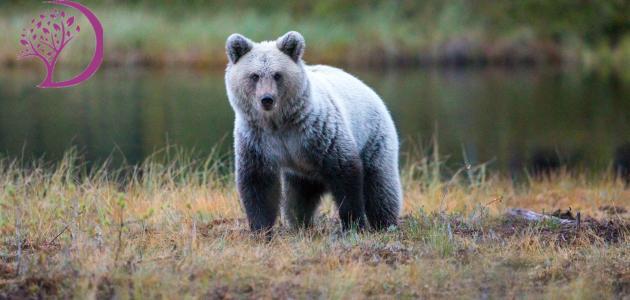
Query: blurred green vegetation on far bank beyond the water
[{"x": 361, "y": 33}]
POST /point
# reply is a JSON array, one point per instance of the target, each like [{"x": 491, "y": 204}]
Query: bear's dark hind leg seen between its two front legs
[{"x": 302, "y": 197}]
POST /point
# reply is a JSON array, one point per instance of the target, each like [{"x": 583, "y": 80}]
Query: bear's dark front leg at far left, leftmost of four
[{"x": 258, "y": 184}]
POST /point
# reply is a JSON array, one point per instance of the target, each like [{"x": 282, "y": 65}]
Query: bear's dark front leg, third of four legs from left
[{"x": 345, "y": 178}]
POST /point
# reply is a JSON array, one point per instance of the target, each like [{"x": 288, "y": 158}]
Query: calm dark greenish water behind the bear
[{"x": 510, "y": 118}]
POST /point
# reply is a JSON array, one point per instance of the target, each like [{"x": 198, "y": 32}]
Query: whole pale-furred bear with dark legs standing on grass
[{"x": 301, "y": 131}]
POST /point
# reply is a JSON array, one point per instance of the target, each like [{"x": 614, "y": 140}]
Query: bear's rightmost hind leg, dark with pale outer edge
[{"x": 382, "y": 192}]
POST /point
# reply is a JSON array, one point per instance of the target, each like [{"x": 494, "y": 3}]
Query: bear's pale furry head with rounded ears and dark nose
[{"x": 265, "y": 79}]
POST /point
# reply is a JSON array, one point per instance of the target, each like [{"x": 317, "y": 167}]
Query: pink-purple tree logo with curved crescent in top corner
[{"x": 51, "y": 32}]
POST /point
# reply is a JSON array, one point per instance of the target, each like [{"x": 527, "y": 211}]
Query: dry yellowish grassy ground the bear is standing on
[{"x": 177, "y": 231}]
